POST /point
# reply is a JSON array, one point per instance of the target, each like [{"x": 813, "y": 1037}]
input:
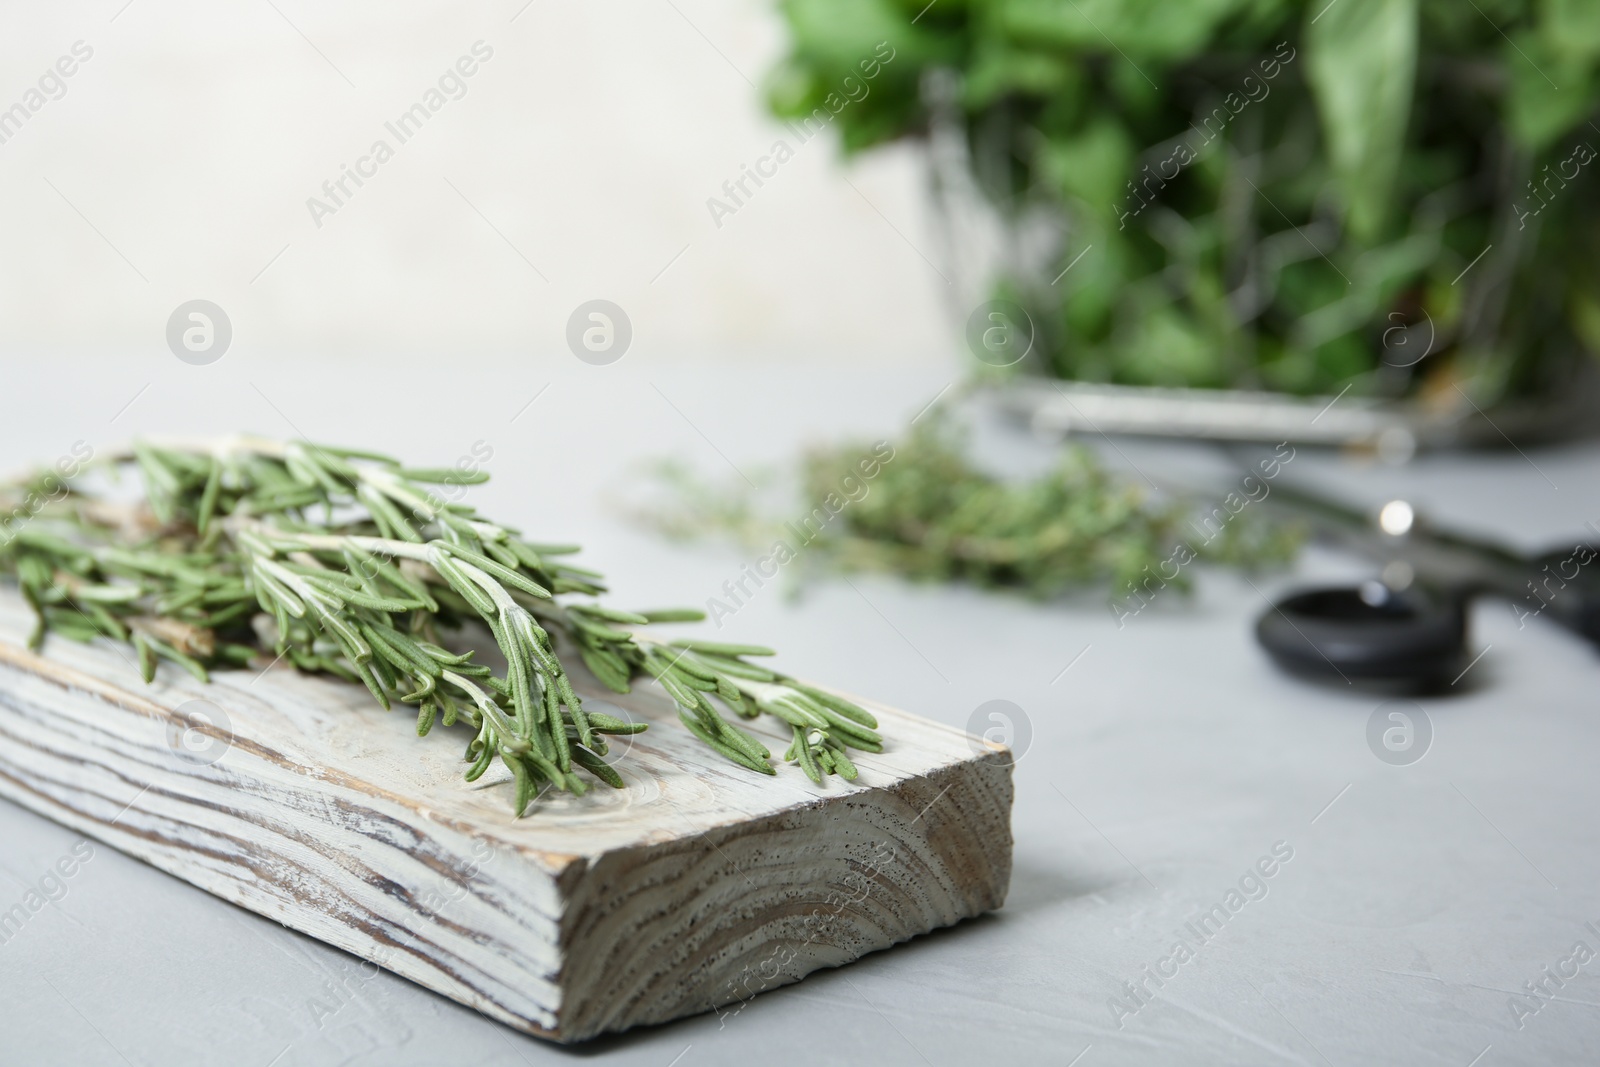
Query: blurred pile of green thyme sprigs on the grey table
[{"x": 934, "y": 516}]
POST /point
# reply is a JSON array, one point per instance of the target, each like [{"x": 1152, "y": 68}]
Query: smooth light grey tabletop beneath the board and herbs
[{"x": 1161, "y": 762}]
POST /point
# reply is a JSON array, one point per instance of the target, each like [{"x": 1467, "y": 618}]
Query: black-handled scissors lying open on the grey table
[{"x": 1410, "y": 625}]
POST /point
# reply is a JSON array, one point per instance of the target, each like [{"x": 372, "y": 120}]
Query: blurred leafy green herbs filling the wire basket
[{"x": 1270, "y": 194}]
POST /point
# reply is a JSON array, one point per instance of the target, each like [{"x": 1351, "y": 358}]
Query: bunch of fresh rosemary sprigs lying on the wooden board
[{"x": 346, "y": 564}]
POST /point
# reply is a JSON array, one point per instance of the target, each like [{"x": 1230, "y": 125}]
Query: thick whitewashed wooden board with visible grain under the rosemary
[{"x": 697, "y": 887}]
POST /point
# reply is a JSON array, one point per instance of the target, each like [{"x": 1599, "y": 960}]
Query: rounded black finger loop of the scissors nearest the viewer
[{"x": 1367, "y": 633}]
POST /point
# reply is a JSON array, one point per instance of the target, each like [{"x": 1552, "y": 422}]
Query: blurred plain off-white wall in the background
[{"x": 182, "y": 156}]
